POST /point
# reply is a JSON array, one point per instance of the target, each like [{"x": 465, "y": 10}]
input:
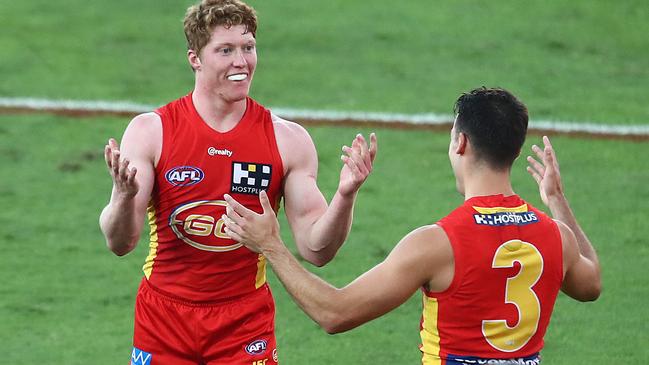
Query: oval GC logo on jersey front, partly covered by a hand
[{"x": 195, "y": 224}]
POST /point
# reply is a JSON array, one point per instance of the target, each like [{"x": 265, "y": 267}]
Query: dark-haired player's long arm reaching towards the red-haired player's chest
[{"x": 411, "y": 264}]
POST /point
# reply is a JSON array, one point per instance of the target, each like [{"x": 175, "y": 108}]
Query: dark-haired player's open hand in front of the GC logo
[{"x": 258, "y": 232}]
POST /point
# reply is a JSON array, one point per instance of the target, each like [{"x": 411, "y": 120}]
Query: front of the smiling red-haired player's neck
[{"x": 220, "y": 114}]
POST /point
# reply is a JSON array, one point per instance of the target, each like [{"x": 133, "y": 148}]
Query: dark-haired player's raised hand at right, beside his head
[{"x": 545, "y": 171}]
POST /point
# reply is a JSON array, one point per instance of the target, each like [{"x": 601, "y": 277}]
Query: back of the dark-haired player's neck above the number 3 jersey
[{"x": 484, "y": 182}]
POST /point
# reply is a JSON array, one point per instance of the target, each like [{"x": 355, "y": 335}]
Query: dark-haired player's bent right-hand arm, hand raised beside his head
[{"x": 582, "y": 279}]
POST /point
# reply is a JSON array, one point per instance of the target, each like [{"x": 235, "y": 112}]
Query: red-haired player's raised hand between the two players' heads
[{"x": 358, "y": 162}]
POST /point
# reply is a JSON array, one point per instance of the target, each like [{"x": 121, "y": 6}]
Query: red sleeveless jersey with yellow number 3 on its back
[{"x": 508, "y": 272}]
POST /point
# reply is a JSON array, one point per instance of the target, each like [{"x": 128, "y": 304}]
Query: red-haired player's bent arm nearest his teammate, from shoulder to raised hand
[{"x": 319, "y": 229}]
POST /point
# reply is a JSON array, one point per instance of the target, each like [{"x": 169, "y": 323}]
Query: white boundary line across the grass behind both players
[{"x": 331, "y": 116}]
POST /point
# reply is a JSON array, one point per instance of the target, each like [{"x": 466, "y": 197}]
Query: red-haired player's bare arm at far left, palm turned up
[{"x": 132, "y": 171}]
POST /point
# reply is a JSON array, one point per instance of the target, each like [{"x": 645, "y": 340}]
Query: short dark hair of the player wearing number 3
[{"x": 495, "y": 122}]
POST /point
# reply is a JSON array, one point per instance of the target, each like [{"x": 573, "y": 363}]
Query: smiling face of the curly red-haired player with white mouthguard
[{"x": 226, "y": 65}]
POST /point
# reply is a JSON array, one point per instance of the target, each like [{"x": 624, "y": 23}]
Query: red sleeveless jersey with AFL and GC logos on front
[{"x": 190, "y": 256}]
